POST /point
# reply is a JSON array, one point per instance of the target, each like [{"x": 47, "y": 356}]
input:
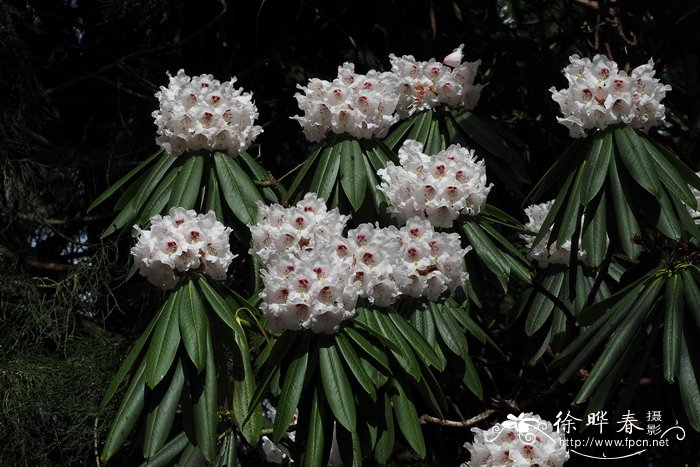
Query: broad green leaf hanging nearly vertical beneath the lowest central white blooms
[{"x": 337, "y": 387}]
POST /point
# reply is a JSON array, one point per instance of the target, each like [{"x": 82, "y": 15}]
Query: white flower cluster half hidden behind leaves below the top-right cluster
[{"x": 544, "y": 256}]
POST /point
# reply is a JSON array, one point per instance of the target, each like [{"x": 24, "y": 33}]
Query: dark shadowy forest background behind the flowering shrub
[{"x": 78, "y": 78}]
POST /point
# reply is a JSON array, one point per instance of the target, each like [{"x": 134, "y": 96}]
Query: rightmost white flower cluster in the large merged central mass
[{"x": 433, "y": 260}]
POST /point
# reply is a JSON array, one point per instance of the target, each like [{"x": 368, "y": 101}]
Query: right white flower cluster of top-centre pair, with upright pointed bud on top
[{"x": 424, "y": 85}]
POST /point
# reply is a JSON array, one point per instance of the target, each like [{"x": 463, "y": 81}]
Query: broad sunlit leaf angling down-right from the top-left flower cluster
[{"x": 239, "y": 191}]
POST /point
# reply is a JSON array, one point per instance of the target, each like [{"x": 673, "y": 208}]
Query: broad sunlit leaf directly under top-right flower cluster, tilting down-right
[{"x": 636, "y": 159}]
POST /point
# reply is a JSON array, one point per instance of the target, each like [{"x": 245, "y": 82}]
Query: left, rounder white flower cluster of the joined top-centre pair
[{"x": 360, "y": 105}]
